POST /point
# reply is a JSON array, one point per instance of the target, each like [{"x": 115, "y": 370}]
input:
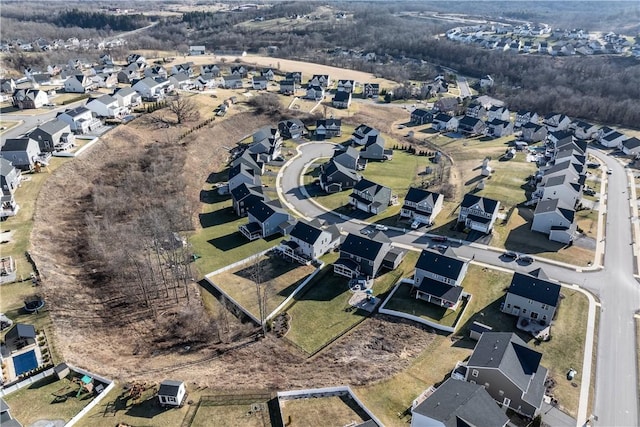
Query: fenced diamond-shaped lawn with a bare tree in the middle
[{"x": 279, "y": 279}]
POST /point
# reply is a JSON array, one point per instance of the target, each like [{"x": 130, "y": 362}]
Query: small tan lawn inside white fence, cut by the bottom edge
[{"x": 335, "y": 411}]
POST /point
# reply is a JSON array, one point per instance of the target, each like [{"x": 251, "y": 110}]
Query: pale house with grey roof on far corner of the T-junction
[{"x": 556, "y": 219}]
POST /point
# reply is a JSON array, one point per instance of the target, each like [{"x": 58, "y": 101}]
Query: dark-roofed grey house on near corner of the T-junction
[{"x": 532, "y": 297}]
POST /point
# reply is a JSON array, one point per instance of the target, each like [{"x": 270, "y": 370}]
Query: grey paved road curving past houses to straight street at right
[{"x": 616, "y": 397}]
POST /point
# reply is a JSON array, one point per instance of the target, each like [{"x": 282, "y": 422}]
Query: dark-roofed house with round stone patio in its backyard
[{"x": 362, "y": 256}]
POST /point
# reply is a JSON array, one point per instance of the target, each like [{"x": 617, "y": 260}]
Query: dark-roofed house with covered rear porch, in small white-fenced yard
[{"x": 438, "y": 279}]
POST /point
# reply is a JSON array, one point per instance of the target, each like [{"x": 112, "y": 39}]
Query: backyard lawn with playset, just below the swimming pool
[{"x": 36, "y": 402}]
